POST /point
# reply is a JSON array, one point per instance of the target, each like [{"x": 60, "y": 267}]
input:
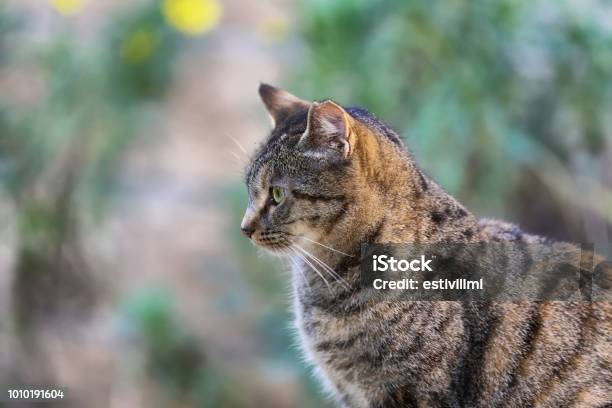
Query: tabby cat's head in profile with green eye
[{"x": 305, "y": 177}]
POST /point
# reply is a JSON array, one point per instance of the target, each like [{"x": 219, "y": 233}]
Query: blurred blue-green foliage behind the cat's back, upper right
[{"x": 482, "y": 90}]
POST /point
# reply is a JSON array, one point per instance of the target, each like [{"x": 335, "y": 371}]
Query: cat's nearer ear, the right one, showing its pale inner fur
[{"x": 328, "y": 130}]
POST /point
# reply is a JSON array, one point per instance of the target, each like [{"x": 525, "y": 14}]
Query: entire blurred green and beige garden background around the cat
[{"x": 125, "y": 128}]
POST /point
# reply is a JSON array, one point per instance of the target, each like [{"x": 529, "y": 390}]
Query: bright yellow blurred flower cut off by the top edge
[{"x": 192, "y": 17}]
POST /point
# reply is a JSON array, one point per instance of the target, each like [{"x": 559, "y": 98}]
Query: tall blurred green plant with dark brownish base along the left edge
[{"x": 59, "y": 154}]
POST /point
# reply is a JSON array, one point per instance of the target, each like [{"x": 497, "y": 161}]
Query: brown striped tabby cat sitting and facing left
[{"x": 329, "y": 179}]
